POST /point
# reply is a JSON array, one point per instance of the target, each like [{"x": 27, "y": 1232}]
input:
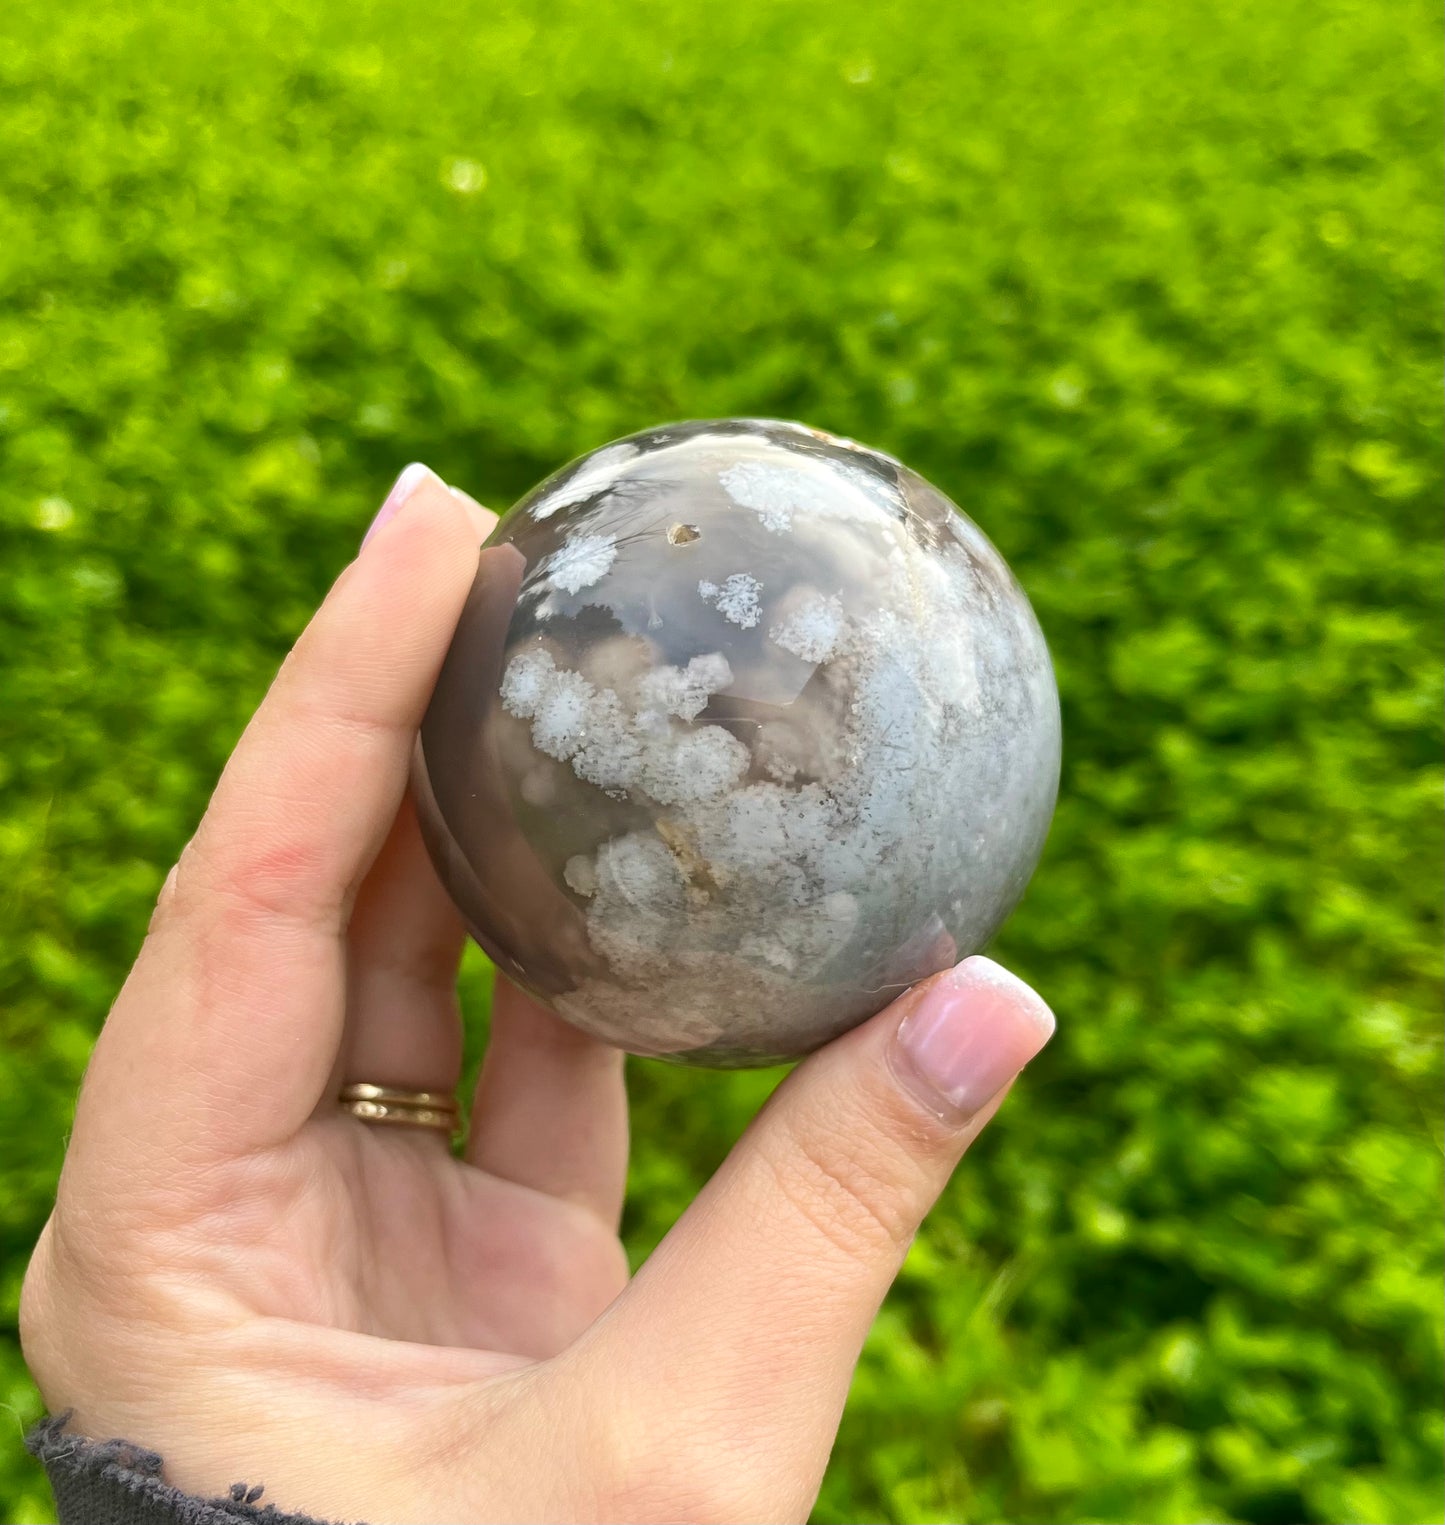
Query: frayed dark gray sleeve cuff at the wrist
[{"x": 114, "y": 1483}]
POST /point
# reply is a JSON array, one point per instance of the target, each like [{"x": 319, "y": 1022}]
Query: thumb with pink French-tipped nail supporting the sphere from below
[{"x": 752, "y": 1314}]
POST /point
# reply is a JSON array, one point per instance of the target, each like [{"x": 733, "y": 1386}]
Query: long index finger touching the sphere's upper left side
[{"x": 235, "y": 1010}]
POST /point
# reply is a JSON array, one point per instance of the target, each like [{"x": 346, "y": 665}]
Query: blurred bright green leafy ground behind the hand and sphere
[{"x": 1153, "y": 291}]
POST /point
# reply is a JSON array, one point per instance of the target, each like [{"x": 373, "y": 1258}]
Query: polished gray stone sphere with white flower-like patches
[{"x": 745, "y": 730}]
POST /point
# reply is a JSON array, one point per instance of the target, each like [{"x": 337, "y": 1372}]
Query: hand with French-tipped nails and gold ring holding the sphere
[{"x": 260, "y": 1286}]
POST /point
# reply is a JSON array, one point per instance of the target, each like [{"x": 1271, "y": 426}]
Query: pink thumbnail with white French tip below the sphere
[{"x": 970, "y": 1035}]
